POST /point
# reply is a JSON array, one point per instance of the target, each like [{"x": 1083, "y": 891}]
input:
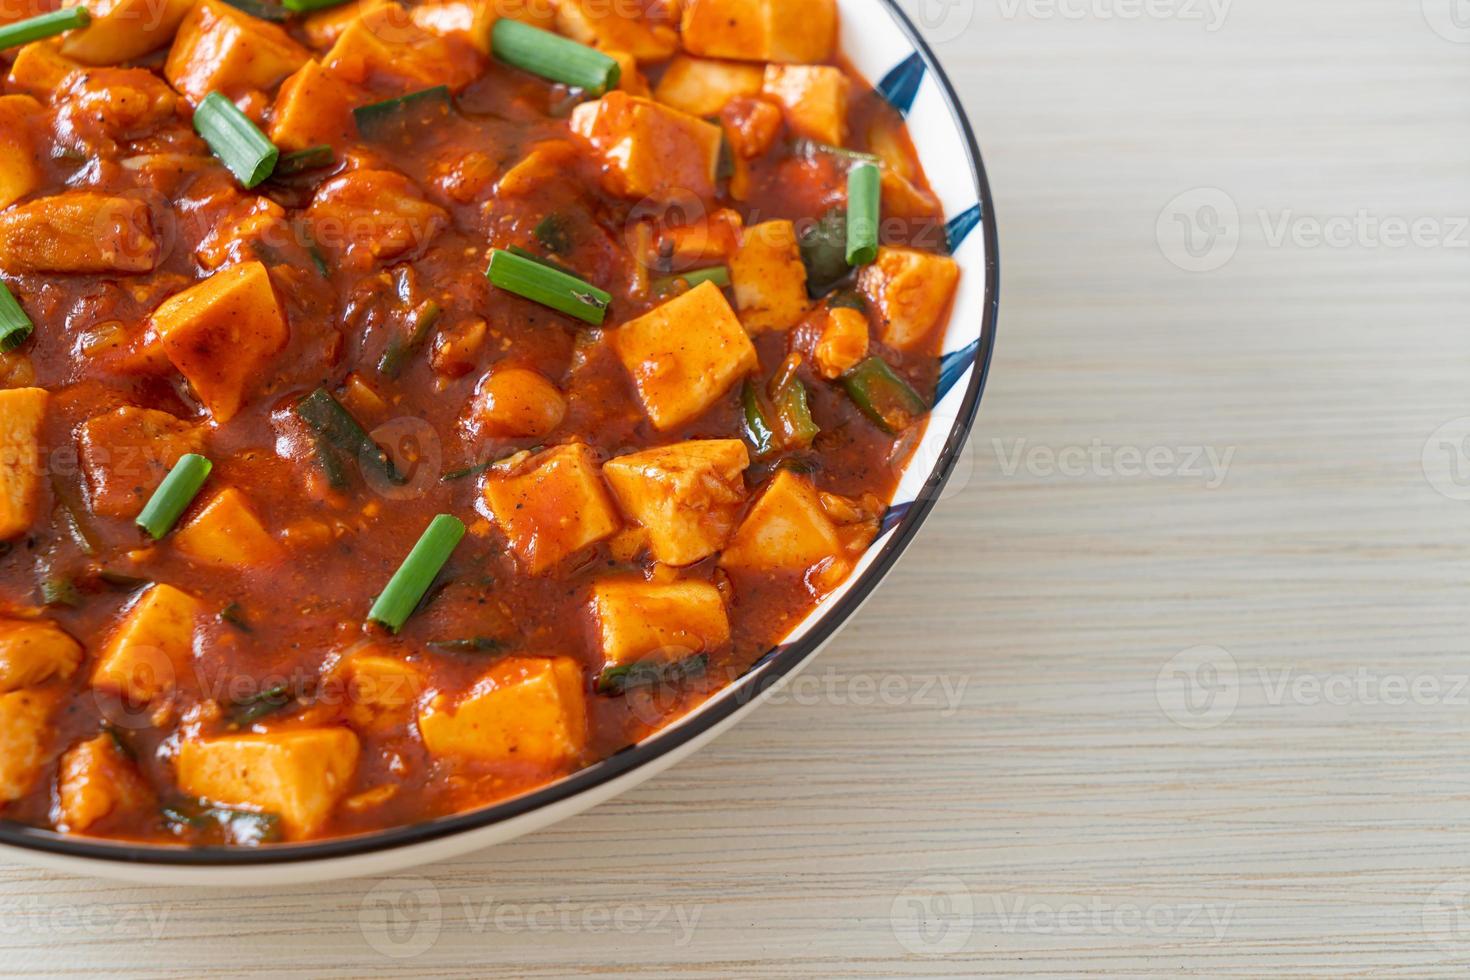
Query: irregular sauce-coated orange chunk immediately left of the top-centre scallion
[{"x": 387, "y": 52}]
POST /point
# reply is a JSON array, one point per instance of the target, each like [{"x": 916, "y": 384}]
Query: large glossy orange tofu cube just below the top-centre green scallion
[{"x": 649, "y": 149}]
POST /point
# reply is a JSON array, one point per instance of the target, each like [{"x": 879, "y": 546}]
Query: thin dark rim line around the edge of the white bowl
[{"x": 759, "y": 678}]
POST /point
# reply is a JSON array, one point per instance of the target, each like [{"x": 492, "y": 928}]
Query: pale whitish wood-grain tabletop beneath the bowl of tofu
[{"x": 1122, "y": 709}]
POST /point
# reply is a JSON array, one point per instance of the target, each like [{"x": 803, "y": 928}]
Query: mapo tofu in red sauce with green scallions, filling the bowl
[{"x": 406, "y": 406}]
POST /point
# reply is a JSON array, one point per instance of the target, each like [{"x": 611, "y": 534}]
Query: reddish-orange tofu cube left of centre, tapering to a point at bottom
[{"x": 221, "y": 334}]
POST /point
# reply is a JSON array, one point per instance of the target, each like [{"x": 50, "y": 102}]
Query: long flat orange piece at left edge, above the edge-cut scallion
[{"x": 79, "y": 231}]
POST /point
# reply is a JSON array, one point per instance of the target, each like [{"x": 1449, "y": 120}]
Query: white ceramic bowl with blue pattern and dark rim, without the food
[{"x": 881, "y": 45}]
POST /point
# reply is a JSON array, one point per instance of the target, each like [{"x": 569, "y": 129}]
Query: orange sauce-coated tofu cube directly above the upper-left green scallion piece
[{"x": 227, "y": 51}]
